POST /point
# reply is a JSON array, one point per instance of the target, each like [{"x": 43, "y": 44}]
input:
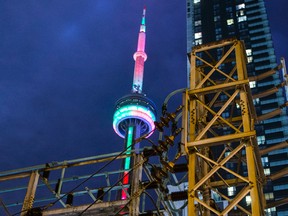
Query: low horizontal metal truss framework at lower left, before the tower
[{"x": 87, "y": 186}]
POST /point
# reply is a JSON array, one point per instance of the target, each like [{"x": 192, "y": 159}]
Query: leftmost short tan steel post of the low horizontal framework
[{"x": 30, "y": 194}]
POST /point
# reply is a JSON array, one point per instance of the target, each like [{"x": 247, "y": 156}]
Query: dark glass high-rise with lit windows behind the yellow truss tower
[{"x": 214, "y": 20}]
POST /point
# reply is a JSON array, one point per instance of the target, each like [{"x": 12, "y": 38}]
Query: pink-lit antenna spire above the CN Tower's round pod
[{"x": 140, "y": 57}]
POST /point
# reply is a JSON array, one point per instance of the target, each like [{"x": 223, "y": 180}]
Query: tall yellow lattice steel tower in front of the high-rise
[{"x": 221, "y": 139}]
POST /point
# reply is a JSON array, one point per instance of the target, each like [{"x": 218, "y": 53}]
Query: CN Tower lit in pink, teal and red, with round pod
[{"x": 135, "y": 113}]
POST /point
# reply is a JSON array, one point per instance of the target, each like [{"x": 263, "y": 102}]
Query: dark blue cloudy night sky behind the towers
[{"x": 64, "y": 63}]
